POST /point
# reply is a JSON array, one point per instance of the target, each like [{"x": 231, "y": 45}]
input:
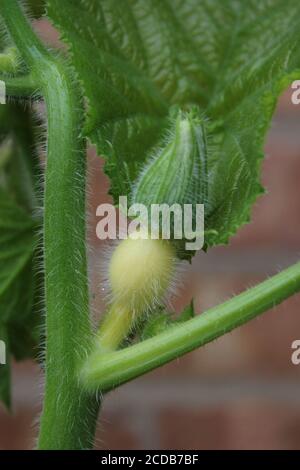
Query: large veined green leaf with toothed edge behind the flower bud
[{"x": 136, "y": 58}]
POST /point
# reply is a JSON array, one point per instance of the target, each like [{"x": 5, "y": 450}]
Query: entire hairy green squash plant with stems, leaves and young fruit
[{"x": 129, "y": 67}]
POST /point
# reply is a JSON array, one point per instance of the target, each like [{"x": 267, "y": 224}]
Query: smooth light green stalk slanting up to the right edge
[{"x": 107, "y": 371}]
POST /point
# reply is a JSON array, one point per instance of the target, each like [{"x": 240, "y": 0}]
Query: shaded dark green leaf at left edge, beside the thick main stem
[{"x": 18, "y": 317}]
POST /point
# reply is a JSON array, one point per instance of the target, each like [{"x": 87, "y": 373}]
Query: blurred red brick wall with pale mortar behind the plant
[{"x": 239, "y": 392}]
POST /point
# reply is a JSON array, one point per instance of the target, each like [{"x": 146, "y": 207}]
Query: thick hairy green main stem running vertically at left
[{"x": 69, "y": 412}]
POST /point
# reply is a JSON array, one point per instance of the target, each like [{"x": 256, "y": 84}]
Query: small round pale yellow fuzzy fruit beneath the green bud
[{"x": 140, "y": 272}]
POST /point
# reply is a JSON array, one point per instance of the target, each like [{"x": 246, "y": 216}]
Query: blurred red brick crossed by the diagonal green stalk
[{"x": 259, "y": 348}]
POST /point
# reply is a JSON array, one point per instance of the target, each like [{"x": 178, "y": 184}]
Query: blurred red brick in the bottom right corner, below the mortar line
[{"x": 245, "y": 425}]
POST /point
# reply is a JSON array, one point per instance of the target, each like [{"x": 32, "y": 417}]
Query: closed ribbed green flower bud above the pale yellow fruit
[{"x": 177, "y": 173}]
